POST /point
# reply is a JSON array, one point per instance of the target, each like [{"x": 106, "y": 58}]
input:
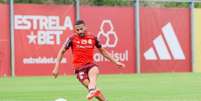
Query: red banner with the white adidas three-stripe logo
[{"x": 165, "y": 40}]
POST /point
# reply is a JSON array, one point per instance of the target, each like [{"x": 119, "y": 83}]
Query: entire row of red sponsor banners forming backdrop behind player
[{"x": 40, "y": 30}]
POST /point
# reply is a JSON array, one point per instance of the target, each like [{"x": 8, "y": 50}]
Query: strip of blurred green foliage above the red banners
[{"x": 147, "y": 3}]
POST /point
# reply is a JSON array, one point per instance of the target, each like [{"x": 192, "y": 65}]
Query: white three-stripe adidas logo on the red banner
[{"x": 170, "y": 51}]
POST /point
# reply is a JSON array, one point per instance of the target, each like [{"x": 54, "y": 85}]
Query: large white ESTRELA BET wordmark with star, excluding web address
[{"x": 43, "y": 30}]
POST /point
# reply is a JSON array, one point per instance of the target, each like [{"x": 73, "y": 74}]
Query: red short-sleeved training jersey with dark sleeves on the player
[{"x": 82, "y": 48}]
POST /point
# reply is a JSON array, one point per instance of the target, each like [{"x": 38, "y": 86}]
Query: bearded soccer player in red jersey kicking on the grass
[{"x": 82, "y": 44}]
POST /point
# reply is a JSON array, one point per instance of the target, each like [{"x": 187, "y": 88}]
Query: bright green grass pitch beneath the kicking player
[{"x": 145, "y": 87}]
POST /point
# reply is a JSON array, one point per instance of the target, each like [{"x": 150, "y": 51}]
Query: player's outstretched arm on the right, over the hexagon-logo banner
[{"x": 107, "y": 55}]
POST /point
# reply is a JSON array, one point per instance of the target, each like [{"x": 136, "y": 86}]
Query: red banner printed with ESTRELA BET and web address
[{"x": 40, "y": 30}]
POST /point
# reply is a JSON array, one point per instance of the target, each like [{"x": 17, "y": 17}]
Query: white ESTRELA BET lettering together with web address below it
[{"x": 41, "y": 30}]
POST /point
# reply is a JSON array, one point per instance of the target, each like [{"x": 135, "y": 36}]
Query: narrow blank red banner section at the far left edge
[{"x": 4, "y": 41}]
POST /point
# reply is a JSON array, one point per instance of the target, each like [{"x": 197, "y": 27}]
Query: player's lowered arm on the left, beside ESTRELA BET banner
[{"x": 60, "y": 55}]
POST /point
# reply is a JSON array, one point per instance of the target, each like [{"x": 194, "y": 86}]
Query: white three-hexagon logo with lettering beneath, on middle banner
[{"x": 111, "y": 41}]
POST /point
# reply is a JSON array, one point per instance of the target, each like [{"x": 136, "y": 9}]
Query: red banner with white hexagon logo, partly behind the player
[{"x": 114, "y": 27}]
